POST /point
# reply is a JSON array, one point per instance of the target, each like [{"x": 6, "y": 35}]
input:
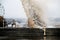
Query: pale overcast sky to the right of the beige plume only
[{"x": 53, "y": 9}]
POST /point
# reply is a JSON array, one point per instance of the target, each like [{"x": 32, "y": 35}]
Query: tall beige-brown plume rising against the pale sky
[{"x": 38, "y": 10}]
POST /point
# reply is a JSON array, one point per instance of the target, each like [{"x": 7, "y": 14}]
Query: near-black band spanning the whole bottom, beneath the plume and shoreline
[{"x": 32, "y": 34}]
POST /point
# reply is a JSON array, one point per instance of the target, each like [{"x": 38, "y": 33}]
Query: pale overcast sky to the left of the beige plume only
[{"x": 13, "y": 9}]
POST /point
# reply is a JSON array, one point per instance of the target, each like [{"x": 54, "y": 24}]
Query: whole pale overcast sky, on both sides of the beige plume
[{"x": 14, "y": 8}]
